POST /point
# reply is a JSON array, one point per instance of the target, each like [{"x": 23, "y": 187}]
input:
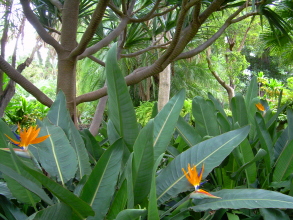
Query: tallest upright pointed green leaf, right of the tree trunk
[{"x": 121, "y": 111}]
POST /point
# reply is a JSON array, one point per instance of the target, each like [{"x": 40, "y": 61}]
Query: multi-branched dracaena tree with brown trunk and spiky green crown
[{"x": 87, "y": 27}]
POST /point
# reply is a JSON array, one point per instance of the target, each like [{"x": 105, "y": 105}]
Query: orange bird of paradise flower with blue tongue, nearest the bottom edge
[{"x": 194, "y": 178}]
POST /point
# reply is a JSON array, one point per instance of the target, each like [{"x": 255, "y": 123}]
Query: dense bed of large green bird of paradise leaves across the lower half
[{"x": 136, "y": 173}]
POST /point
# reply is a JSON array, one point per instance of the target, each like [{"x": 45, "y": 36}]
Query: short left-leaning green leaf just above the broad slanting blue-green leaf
[{"x": 187, "y": 132}]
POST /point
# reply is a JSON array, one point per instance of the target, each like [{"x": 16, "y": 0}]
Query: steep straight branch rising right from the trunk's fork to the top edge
[{"x": 90, "y": 31}]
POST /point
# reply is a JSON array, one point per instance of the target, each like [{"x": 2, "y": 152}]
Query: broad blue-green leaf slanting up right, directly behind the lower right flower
[{"x": 211, "y": 153}]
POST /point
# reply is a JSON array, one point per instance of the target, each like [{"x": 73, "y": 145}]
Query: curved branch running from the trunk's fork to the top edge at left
[{"x": 31, "y": 17}]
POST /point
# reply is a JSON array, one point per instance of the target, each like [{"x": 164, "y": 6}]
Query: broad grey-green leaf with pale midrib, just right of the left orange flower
[{"x": 56, "y": 154}]
